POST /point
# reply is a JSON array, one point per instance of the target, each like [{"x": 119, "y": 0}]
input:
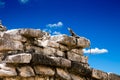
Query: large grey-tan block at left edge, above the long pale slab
[{"x": 9, "y": 45}]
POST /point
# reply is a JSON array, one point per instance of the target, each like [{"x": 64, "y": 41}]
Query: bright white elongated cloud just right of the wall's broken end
[{"x": 95, "y": 51}]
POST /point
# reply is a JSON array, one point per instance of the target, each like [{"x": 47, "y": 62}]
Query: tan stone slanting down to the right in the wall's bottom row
[{"x": 63, "y": 74}]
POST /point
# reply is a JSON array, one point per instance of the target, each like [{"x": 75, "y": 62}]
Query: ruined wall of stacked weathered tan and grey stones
[{"x": 29, "y": 54}]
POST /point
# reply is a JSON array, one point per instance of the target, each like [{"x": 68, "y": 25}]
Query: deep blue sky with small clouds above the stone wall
[{"x": 97, "y": 20}]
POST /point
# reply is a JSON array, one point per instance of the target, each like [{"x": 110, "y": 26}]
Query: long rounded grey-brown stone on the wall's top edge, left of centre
[{"x": 31, "y": 33}]
